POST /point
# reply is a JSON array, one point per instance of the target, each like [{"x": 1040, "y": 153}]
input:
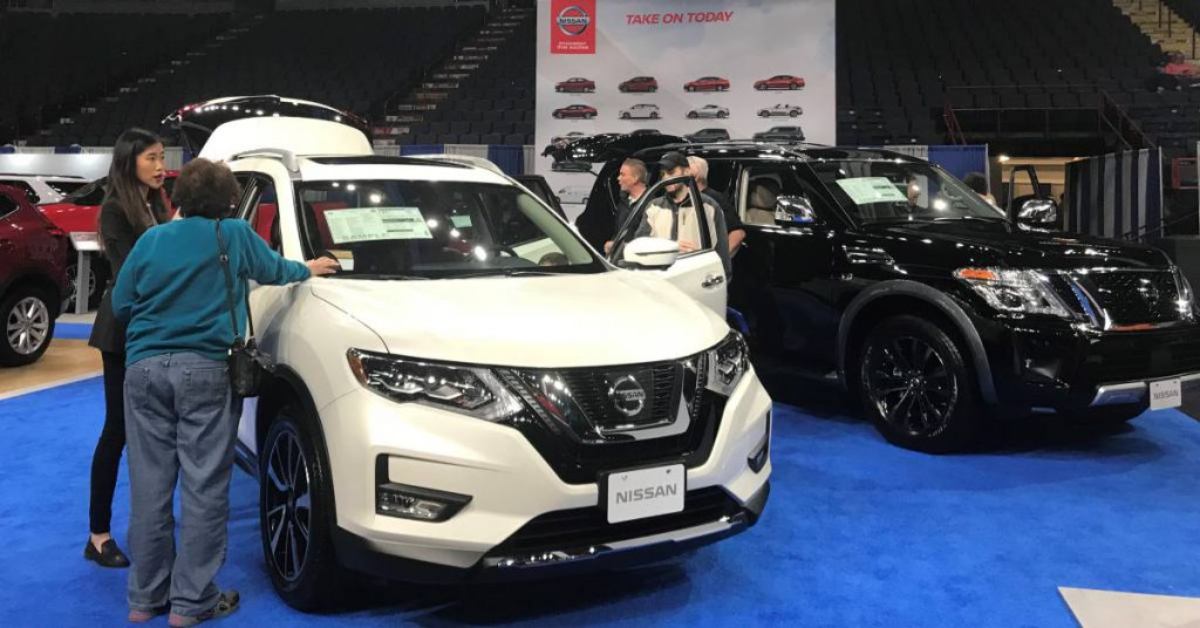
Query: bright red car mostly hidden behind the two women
[{"x": 80, "y": 213}]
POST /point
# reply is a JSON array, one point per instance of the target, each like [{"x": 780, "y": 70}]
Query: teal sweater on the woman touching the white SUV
[{"x": 172, "y": 291}]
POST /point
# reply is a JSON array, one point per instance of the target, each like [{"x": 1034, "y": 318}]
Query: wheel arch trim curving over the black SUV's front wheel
[{"x": 909, "y": 297}]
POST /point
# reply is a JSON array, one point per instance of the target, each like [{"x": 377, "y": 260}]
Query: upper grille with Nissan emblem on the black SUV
[{"x": 1135, "y": 297}]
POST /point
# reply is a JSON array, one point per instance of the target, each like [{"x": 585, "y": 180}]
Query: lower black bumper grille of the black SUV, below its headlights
[{"x": 1139, "y": 358}]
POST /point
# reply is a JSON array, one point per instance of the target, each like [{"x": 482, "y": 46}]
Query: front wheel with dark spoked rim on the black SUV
[{"x": 941, "y": 388}]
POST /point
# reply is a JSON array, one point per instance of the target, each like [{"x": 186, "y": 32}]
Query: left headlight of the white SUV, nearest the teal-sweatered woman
[{"x": 471, "y": 391}]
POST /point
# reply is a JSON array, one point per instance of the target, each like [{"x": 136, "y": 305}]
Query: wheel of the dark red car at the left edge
[{"x": 27, "y": 326}]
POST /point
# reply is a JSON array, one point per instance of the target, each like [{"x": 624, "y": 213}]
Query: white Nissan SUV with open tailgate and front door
[{"x": 478, "y": 394}]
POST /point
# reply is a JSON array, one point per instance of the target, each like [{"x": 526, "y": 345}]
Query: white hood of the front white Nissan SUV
[{"x": 609, "y": 319}]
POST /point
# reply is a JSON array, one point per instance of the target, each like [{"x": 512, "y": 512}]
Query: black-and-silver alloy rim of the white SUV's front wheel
[{"x": 289, "y": 506}]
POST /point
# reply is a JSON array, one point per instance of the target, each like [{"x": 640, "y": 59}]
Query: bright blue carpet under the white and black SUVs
[{"x": 857, "y": 534}]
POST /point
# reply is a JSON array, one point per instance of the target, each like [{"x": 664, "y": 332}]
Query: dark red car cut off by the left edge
[{"x": 33, "y": 279}]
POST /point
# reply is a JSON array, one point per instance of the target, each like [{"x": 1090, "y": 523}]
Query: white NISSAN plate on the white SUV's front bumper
[{"x": 646, "y": 493}]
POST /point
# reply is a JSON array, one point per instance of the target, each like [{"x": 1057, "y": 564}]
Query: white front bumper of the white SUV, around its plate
[{"x": 514, "y": 491}]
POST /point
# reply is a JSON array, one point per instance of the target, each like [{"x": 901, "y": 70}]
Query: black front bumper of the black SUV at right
[{"x": 1059, "y": 367}]
